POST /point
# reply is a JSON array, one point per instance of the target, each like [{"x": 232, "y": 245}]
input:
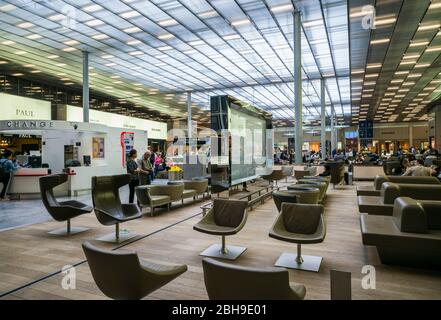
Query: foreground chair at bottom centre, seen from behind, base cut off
[{"x": 231, "y": 282}]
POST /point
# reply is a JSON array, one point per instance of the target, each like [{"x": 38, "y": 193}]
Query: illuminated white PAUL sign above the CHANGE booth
[{"x": 22, "y": 108}]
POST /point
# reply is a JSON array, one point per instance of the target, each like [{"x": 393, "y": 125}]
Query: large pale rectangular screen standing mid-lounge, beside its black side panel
[{"x": 248, "y": 145}]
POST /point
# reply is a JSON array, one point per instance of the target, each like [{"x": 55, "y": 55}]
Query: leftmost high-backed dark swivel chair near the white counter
[{"x": 61, "y": 210}]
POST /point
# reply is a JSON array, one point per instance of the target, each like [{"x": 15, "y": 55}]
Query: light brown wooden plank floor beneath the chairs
[{"x": 29, "y": 253}]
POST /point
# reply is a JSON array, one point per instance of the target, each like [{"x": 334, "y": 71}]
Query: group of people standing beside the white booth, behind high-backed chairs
[{"x": 144, "y": 170}]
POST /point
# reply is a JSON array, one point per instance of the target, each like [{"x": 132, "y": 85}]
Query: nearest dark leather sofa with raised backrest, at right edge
[{"x": 411, "y": 237}]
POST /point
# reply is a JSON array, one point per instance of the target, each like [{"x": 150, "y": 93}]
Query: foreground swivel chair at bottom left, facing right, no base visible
[{"x": 122, "y": 275}]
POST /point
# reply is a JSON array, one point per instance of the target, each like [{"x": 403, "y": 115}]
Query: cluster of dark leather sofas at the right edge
[{"x": 403, "y": 223}]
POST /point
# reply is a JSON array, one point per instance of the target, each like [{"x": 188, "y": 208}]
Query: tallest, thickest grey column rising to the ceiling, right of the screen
[{"x": 298, "y": 88}]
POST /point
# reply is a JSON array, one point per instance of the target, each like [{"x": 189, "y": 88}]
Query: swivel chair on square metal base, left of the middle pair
[{"x": 226, "y": 217}]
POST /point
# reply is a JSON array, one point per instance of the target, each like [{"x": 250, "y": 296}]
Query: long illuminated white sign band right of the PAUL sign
[{"x": 155, "y": 130}]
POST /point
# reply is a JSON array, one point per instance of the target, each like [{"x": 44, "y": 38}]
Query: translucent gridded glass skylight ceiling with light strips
[{"x": 152, "y": 52}]
